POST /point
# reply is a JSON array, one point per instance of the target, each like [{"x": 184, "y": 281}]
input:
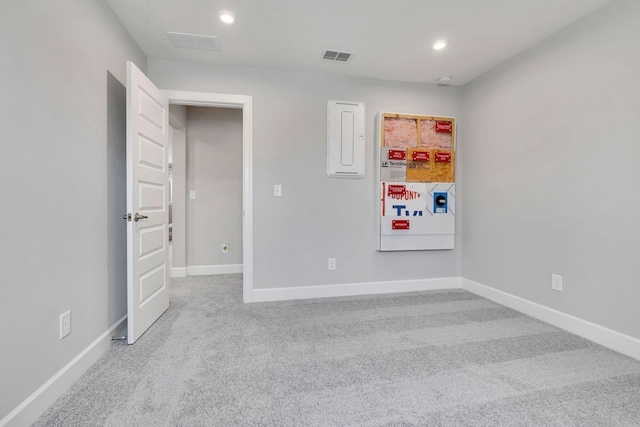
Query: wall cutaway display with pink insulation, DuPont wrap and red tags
[{"x": 416, "y": 175}]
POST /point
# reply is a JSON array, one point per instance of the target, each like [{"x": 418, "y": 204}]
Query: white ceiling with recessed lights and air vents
[{"x": 389, "y": 39}]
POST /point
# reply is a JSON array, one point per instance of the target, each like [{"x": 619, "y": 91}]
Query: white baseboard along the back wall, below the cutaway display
[{"x": 350, "y": 289}]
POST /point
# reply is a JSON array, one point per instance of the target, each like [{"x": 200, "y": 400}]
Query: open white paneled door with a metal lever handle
[{"x": 147, "y": 196}]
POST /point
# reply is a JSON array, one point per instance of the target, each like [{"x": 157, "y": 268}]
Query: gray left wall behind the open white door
[{"x": 61, "y": 229}]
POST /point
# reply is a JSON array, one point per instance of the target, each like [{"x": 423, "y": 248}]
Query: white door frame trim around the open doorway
[{"x": 244, "y": 102}]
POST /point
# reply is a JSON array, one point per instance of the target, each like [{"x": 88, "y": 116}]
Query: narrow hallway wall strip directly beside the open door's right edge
[{"x": 178, "y": 122}]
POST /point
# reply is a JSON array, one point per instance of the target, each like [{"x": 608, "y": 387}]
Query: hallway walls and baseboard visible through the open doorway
[{"x": 205, "y": 188}]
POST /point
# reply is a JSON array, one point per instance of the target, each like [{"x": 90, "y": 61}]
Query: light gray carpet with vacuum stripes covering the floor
[{"x": 441, "y": 358}]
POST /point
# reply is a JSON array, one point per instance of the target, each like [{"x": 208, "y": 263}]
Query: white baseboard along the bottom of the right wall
[{"x": 609, "y": 338}]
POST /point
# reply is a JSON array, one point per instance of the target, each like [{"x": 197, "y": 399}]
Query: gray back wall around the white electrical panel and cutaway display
[{"x": 317, "y": 217}]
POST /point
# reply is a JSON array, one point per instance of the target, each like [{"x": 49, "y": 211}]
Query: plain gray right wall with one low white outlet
[{"x": 550, "y": 144}]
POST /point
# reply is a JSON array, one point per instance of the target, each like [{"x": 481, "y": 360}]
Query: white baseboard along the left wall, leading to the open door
[{"x": 30, "y": 410}]
